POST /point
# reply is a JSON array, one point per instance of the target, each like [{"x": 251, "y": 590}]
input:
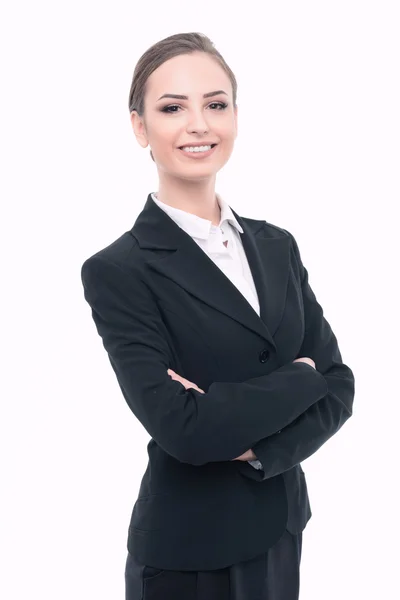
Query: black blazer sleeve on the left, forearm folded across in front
[{"x": 195, "y": 428}]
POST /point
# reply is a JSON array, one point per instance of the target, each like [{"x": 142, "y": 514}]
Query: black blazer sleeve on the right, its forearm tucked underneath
[{"x": 318, "y": 423}]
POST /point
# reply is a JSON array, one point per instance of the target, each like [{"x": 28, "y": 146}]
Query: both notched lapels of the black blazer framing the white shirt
[{"x": 192, "y": 269}]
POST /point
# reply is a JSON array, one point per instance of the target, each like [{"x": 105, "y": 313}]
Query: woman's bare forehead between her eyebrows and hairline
[{"x": 189, "y": 74}]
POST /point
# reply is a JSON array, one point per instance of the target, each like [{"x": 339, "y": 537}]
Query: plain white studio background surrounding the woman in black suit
[{"x": 317, "y": 153}]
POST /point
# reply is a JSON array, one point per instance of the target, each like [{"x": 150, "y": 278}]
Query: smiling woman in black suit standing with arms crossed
[{"x": 221, "y": 351}]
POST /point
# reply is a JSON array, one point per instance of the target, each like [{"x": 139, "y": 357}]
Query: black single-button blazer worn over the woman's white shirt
[{"x": 159, "y": 302}]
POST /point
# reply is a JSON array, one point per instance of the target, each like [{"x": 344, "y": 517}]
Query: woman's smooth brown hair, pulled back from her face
[{"x": 156, "y": 55}]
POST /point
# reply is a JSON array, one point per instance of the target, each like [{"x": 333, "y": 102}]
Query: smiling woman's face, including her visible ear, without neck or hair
[{"x": 170, "y": 123}]
